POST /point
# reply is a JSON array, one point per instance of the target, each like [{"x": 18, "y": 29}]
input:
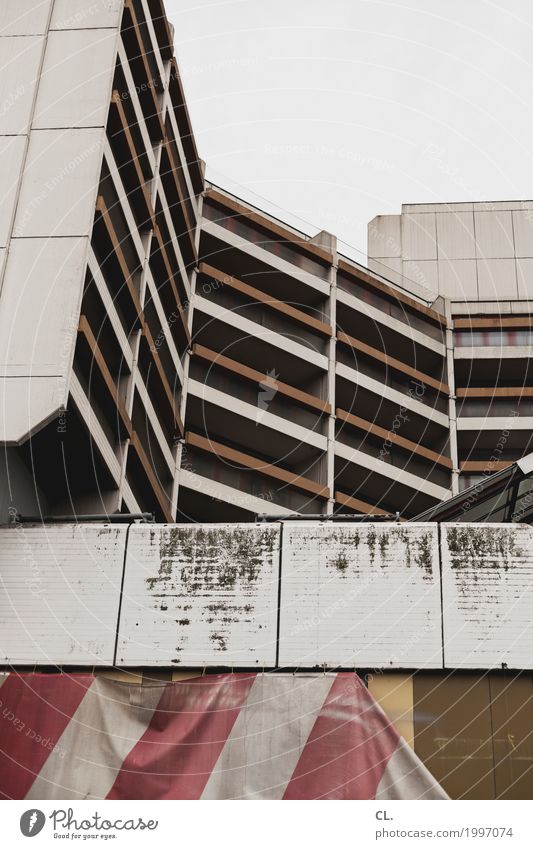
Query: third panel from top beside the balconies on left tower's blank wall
[{"x": 60, "y": 182}]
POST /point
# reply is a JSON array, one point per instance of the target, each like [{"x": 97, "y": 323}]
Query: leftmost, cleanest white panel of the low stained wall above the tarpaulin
[{"x": 60, "y": 589}]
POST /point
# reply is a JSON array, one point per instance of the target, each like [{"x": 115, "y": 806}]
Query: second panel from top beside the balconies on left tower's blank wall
[{"x": 75, "y": 85}]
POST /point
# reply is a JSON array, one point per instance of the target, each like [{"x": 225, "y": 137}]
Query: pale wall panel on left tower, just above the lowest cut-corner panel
[{"x": 39, "y": 308}]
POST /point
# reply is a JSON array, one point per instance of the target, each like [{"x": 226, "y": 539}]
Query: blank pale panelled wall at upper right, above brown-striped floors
[{"x": 464, "y": 251}]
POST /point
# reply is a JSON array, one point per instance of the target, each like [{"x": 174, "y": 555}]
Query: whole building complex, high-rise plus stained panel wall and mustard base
[{"x": 167, "y": 347}]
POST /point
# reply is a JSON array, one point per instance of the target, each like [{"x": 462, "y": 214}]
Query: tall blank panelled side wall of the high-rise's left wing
[{"x": 58, "y": 62}]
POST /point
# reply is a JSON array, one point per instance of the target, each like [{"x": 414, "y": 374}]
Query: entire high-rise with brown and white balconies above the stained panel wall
[{"x": 168, "y": 347}]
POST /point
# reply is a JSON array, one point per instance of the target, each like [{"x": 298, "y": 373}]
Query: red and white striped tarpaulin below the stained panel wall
[{"x": 234, "y": 736}]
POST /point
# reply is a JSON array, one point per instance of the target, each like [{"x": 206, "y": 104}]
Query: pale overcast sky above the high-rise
[{"x": 339, "y": 110}]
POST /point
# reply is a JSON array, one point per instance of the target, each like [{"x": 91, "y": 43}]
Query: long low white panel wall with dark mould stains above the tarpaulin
[{"x": 292, "y": 594}]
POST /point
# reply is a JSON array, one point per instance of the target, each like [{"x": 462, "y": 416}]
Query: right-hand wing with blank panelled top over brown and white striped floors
[{"x": 477, "y": 257}]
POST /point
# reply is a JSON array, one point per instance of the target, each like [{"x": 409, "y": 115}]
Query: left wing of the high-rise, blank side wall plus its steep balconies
[{"x": 99, "y": 240}]
